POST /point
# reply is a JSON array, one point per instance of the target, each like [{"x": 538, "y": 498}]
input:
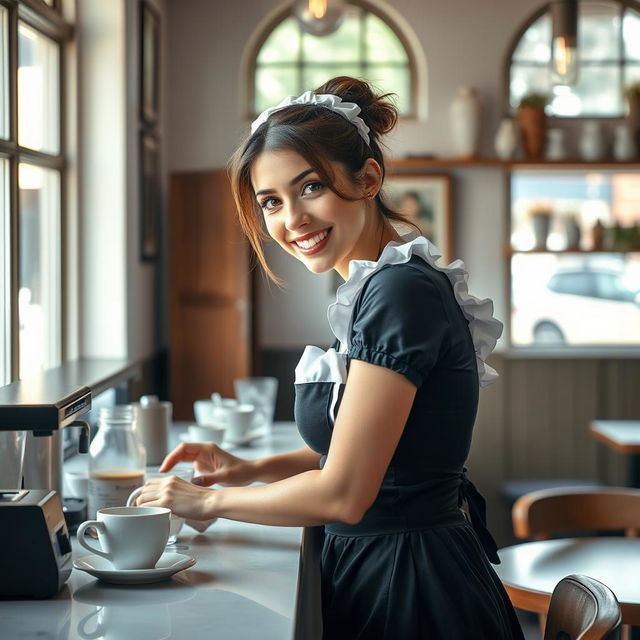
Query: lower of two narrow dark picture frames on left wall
[{"x": 150, "y": 201}]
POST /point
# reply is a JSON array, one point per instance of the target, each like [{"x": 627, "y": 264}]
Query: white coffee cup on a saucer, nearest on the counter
[{"x": 129, "y": 537}]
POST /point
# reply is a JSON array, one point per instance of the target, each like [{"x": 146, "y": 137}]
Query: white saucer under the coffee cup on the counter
[{"x": 101, "y": 568}]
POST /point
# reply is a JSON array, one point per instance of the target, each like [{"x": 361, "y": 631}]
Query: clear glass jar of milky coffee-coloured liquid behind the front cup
[{"x": 117, "y": 459}]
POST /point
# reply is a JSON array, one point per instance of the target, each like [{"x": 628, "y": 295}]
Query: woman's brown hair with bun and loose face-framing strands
[{"x": 320, "y": 136}]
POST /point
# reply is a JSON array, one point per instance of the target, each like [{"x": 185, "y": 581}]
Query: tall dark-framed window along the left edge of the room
[{"x": 32, "y": 168}]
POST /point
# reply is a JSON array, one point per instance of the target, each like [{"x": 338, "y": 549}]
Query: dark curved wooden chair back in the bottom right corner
[{"x": 583, "y": 609}]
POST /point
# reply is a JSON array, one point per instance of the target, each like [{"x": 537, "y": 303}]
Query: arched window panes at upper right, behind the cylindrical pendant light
[{"x": 608, "y": 53}]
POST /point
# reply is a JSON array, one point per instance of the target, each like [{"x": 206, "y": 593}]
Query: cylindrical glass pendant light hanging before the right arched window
[{"x": 564, "y": 42}]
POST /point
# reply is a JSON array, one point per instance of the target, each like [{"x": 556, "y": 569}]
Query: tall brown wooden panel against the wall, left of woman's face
[{"x": 210, "y": 294}]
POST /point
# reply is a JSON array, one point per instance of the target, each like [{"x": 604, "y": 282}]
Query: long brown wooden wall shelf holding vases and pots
[{"x": 417, "y": 164}]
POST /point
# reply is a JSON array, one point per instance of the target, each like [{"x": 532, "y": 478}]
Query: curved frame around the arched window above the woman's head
[{"x": 267, "y": 28}]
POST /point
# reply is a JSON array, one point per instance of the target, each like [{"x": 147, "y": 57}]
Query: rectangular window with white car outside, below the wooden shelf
[{"x": 575, "y": 263}]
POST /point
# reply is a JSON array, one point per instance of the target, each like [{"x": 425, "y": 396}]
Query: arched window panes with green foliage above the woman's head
[{"x": 365, "y": 45}]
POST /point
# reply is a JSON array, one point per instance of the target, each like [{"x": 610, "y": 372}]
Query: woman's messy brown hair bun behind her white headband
[{"x": 377, "y": 110}]
